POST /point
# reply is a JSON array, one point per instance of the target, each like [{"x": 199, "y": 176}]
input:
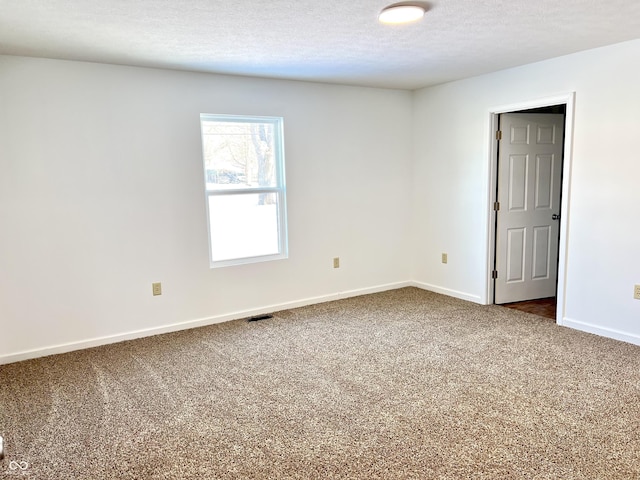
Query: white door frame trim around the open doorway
[{"x": 567, "y": 99}]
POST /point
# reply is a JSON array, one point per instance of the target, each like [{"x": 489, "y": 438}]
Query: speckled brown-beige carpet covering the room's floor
[{"x": 396, "y": 385}]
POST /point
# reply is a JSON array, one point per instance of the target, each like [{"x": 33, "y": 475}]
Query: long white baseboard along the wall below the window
[{"x": 201, "y": 322}]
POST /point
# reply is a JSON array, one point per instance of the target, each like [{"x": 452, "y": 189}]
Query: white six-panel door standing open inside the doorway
[{"x": 529, "y": 185}]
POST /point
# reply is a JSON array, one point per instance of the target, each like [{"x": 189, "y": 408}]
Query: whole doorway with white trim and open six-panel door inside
[{"x": 527, "y": 261}]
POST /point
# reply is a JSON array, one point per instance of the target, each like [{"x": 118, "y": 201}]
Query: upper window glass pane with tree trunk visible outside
[{"x": 239, "y": 154}]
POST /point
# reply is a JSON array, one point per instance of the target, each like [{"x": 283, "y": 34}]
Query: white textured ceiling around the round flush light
[{"x": 336, "y": 41}]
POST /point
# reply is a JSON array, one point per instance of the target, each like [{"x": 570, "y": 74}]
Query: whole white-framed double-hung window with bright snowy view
[{"x": 245, "y": 188}]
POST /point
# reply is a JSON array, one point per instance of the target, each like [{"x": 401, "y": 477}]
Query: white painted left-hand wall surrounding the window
[{"x": 101, "y": 194}]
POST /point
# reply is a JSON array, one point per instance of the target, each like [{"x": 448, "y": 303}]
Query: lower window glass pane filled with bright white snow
[{"x": 243, "y": 225}]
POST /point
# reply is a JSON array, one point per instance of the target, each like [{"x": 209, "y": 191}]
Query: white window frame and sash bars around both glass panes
[{"x": 279, "y": 189}]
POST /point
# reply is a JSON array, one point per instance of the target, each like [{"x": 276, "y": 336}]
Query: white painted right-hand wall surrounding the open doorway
[{"x": 451, "y": 181}]
